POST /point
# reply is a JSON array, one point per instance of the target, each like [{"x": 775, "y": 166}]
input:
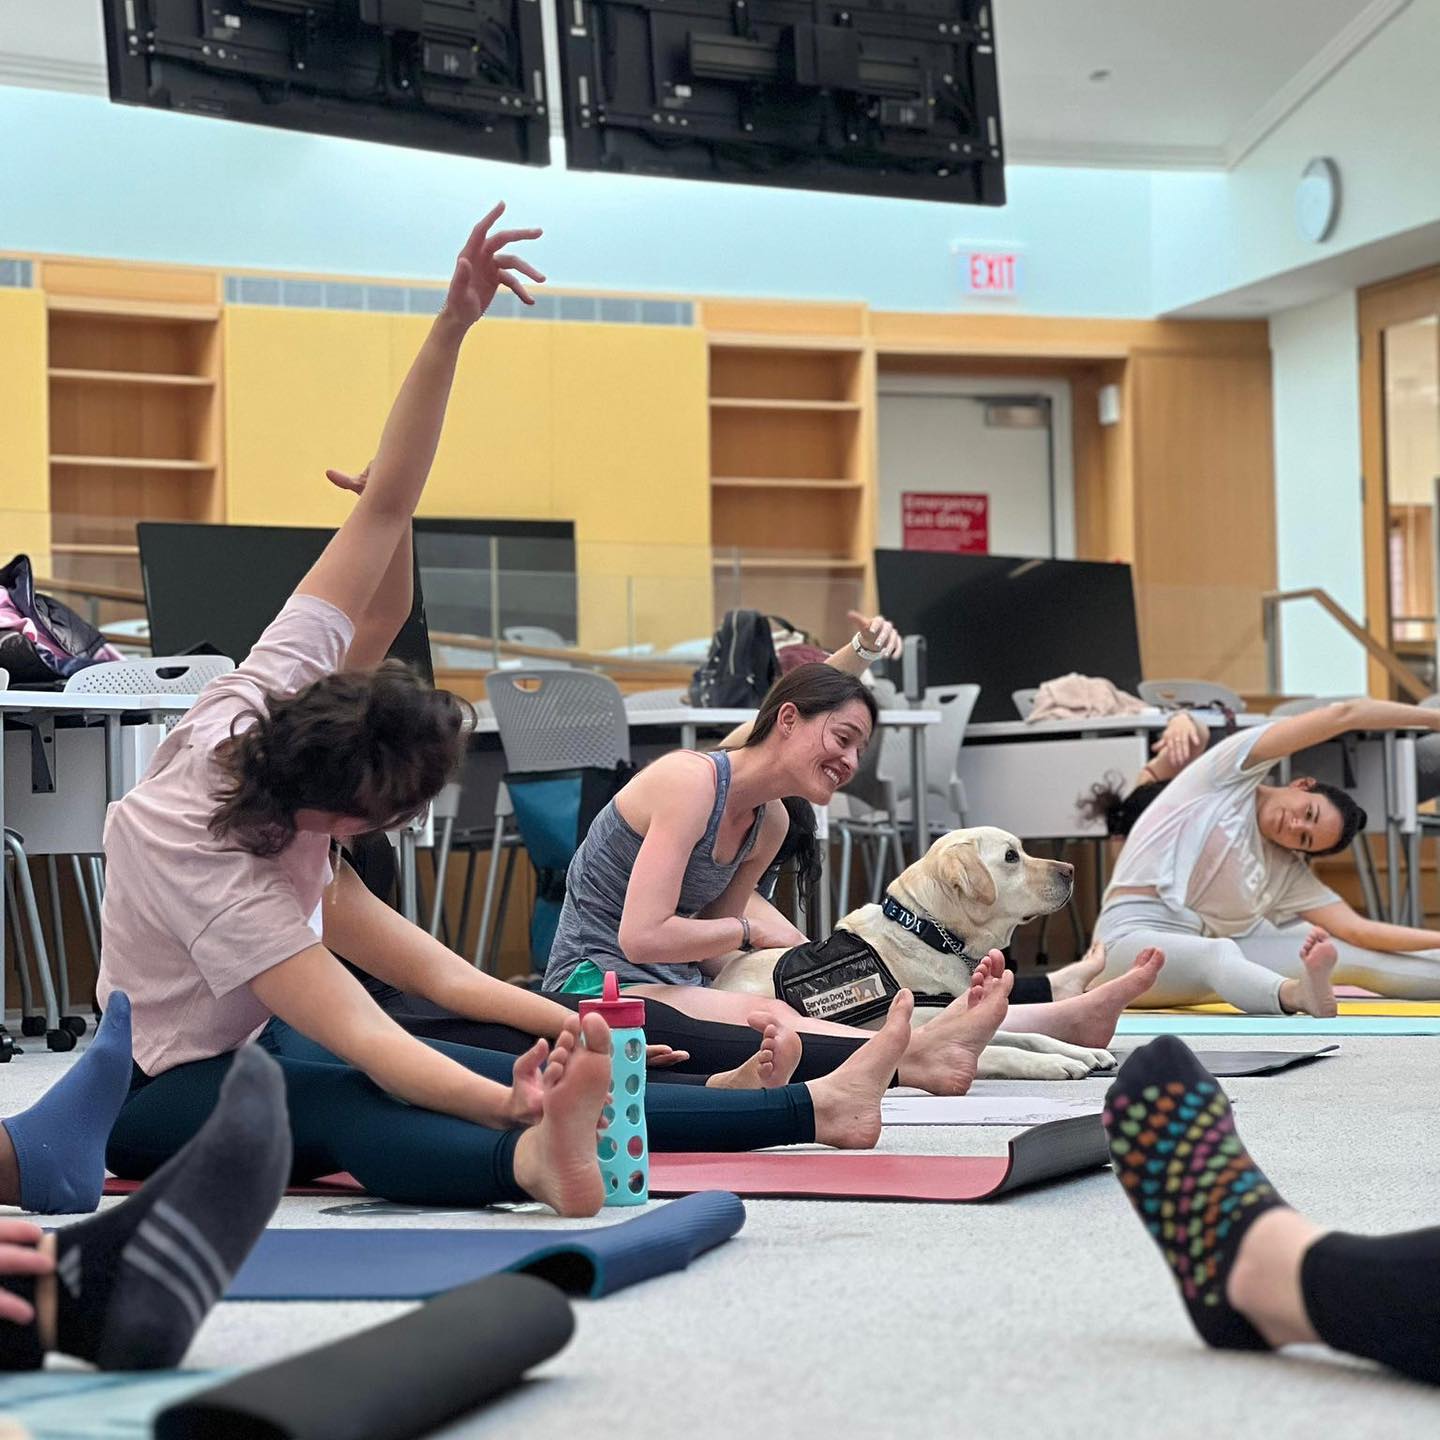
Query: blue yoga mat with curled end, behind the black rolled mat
[{"x": 414, "y": 1265}]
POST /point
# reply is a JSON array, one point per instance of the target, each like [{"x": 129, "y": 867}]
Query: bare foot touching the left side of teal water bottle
[{"x": 557, "y": 1160}]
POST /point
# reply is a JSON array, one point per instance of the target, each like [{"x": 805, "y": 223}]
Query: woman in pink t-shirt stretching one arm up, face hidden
[{"x": 222, "y": 914}]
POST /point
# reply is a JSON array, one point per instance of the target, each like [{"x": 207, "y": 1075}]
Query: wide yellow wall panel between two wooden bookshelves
[{"x": 604, "y": 426}]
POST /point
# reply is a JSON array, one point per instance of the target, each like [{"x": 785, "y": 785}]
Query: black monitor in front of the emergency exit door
[{"x": 1007, "y": 624}]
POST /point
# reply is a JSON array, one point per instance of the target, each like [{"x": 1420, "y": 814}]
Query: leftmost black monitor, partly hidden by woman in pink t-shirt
[{"x": 222, "y": 585}]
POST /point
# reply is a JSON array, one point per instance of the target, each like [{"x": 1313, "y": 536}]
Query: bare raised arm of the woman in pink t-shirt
[{"x": 349, "y": 574}]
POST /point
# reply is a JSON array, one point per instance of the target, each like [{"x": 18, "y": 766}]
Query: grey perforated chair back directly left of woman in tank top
[{"x": 559, "y": 719}]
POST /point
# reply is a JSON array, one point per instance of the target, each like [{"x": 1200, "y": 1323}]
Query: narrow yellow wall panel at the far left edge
[{"x": 25, "y": 440}]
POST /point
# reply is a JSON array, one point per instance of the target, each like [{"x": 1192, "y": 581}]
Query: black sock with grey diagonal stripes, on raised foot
[{"x": 136, "y": 1282}]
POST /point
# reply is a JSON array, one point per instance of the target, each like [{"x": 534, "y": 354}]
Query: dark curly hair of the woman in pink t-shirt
[{"x": 377, "y": 744}]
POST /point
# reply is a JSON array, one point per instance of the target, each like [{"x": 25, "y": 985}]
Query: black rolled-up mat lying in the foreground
[{"x": 395, "y": 1382}]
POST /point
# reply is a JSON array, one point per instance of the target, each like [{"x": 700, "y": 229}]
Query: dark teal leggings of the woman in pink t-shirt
[{"x": 343, "y": 1121}]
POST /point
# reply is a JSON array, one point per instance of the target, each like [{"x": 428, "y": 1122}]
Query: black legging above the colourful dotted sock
[{"x": 1377, "y": 1297}]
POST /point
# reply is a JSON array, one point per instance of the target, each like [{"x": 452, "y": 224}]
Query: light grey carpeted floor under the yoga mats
[{"x": 1048, "y": 1315}]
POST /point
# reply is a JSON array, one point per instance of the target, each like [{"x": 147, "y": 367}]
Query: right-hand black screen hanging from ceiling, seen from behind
[{"x": 885, "y": 97}]
